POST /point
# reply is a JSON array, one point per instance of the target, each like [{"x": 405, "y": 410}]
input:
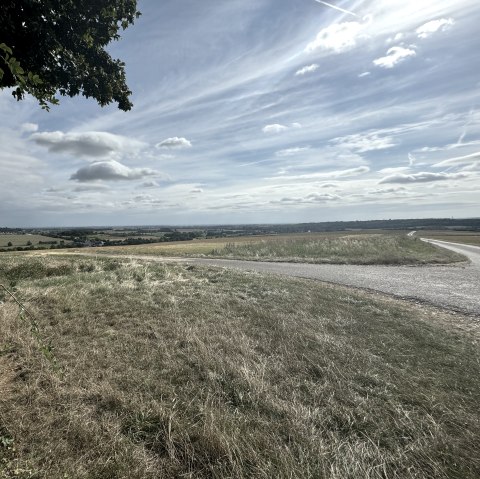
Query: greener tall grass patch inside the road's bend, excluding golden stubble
[{"x": 352, "y": 249}]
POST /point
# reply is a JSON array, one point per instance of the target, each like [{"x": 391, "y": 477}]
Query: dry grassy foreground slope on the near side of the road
[{"x": 145, "y": 370}]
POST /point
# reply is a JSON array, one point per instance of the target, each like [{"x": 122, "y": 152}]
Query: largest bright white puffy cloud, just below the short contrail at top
[{"x": 338, "y": 37}]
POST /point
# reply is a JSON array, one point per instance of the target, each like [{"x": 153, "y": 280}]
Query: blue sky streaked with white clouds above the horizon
[{"x": 261, "y": 111}]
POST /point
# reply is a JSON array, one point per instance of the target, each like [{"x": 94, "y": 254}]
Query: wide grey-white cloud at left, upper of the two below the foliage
[{"x": 92, "y": 143}]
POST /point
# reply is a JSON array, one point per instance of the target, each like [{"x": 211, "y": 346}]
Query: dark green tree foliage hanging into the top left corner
[{"x": 50, "y": 46}]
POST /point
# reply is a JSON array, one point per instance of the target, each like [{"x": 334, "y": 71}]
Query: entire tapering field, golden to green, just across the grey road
[{"x": 340, "y": 248}]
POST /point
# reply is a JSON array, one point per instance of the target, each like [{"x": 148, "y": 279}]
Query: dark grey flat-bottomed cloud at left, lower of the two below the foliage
[{"x": 110, "y": 170}]
